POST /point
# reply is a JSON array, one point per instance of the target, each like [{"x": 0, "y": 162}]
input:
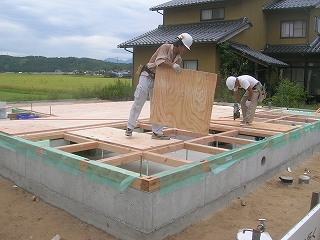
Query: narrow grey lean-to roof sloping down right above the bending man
[{"x": 255, "y": 56}]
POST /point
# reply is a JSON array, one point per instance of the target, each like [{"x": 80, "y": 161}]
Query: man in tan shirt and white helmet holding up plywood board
[{"x": 169, "y": 56}]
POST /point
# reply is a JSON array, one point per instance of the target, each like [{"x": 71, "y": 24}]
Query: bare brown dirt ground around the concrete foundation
[{"x": 25, "y": 216}]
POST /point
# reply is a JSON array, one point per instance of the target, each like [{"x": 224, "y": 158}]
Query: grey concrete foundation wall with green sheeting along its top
[{"x": 94, "y": 195}]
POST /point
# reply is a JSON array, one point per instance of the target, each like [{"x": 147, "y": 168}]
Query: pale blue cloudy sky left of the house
[{"x": 74, "y": 28}]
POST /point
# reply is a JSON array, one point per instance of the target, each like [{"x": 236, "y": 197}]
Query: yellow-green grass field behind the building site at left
[{"x": 28, "y": 87}]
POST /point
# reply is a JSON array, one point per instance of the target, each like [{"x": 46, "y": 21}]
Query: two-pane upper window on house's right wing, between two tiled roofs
[{"x": 293, "y": 29}]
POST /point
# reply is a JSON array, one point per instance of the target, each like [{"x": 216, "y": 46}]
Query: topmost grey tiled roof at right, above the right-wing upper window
[{"x": 291, "y": 4}]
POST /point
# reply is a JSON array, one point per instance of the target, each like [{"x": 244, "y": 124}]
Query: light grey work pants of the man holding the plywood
[{"x": 143, "y": 90}]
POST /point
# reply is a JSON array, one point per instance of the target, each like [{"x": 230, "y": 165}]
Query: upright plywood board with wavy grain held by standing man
[{"x": 183, "y": 100}]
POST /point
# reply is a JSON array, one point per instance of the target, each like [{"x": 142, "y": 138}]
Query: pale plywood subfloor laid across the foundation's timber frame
[{"x": 100, "y": 122}]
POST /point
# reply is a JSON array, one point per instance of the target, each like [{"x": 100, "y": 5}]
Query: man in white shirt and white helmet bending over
[{"x": 249, "y": 100}]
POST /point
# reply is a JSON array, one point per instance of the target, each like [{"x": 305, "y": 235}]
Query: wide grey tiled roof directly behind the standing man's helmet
[{"x": 204, "y": 32}]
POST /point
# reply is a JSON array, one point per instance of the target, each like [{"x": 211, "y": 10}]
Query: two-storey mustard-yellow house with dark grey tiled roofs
[{"x": 281, "y": 36}]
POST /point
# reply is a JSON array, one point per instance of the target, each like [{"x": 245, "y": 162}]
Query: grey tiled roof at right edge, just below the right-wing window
[{"x": 312, "y": 48}]
